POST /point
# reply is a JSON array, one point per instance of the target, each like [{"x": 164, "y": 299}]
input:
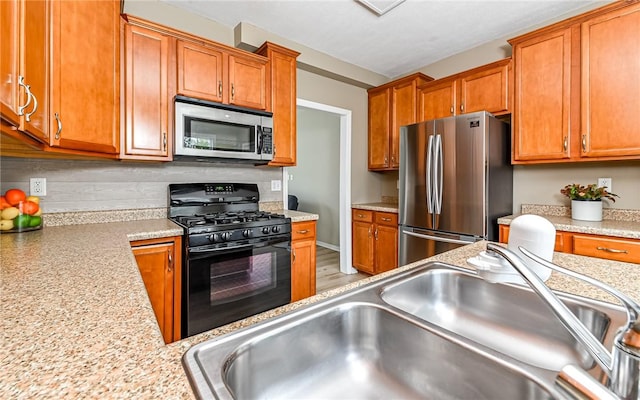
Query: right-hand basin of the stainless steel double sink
[{"x": 509, "y": 319}]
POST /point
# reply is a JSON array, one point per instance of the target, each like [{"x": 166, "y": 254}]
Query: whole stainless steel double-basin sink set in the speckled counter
[{"x": 433, "y": 332}]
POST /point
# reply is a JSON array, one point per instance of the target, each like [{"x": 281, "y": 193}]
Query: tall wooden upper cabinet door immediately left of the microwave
[{"x": 146, "y": 134}]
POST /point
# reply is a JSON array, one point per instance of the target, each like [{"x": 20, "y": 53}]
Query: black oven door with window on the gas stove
[{"x": 228, "y": 284}]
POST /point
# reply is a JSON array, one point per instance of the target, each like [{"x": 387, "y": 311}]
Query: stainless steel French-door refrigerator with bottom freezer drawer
[{"x": 456, "y": 180}]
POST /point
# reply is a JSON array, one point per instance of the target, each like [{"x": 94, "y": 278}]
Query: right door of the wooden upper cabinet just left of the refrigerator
[{"x": 403, "y": 112}]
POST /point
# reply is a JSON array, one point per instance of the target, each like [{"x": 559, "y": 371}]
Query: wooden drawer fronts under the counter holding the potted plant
[{"x": 599, "y": 246}]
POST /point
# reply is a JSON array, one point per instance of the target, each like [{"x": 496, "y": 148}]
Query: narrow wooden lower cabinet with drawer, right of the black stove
[{"x": 303, "y": 260}]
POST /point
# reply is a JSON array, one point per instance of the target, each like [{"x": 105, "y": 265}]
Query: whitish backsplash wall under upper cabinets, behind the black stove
[{"x": 75, "y": 185}]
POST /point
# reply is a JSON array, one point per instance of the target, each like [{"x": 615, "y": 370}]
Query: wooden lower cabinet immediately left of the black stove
[{"x": 160, "y": 265}]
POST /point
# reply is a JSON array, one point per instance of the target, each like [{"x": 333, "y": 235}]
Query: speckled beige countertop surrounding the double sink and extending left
[{"x": 77, "y": 323}]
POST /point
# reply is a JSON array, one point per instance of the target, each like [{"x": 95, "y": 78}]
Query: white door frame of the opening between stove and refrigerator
[{"x": 346, "y": 266}]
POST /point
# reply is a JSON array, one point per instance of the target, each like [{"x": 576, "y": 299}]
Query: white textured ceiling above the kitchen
[{"x": 412, "y": 35}]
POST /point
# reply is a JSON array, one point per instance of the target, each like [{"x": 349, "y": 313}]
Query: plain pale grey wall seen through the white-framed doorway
[{"x": 316, "y": 180}]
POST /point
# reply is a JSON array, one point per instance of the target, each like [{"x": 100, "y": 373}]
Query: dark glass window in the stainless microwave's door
[{"x": 219, "y": 135}]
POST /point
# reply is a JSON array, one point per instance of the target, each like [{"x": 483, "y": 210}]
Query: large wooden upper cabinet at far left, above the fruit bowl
[{"x": 63, "y": 73}]
